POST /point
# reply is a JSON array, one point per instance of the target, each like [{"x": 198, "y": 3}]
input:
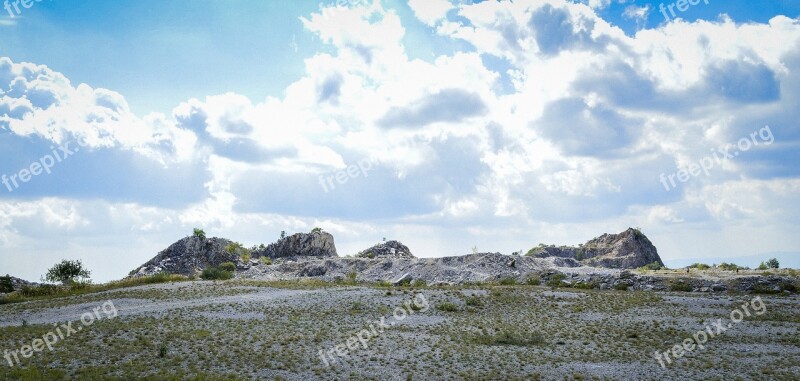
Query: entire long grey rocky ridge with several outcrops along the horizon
[{"x": 314, "y": 255}]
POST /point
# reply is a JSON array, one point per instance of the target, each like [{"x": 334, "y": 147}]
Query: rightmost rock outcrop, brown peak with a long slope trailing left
[{"x": 627, "y": 250}]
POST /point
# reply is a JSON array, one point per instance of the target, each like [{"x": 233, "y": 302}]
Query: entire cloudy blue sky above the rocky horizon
[{"x": 446, "y": 124}]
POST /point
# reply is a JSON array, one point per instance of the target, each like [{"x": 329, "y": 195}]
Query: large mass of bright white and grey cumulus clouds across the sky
[{"x": 575, "y": 142}]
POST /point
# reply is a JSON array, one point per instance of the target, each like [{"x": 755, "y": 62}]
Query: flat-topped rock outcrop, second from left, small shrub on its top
[{"x": 315, "y": 244}]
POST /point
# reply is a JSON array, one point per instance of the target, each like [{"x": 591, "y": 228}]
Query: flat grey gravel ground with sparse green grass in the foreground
[{"x": 256, "y": 330}]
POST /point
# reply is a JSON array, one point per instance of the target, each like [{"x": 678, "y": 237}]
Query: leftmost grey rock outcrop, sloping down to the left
[{"x": 189, "y": 256}]
